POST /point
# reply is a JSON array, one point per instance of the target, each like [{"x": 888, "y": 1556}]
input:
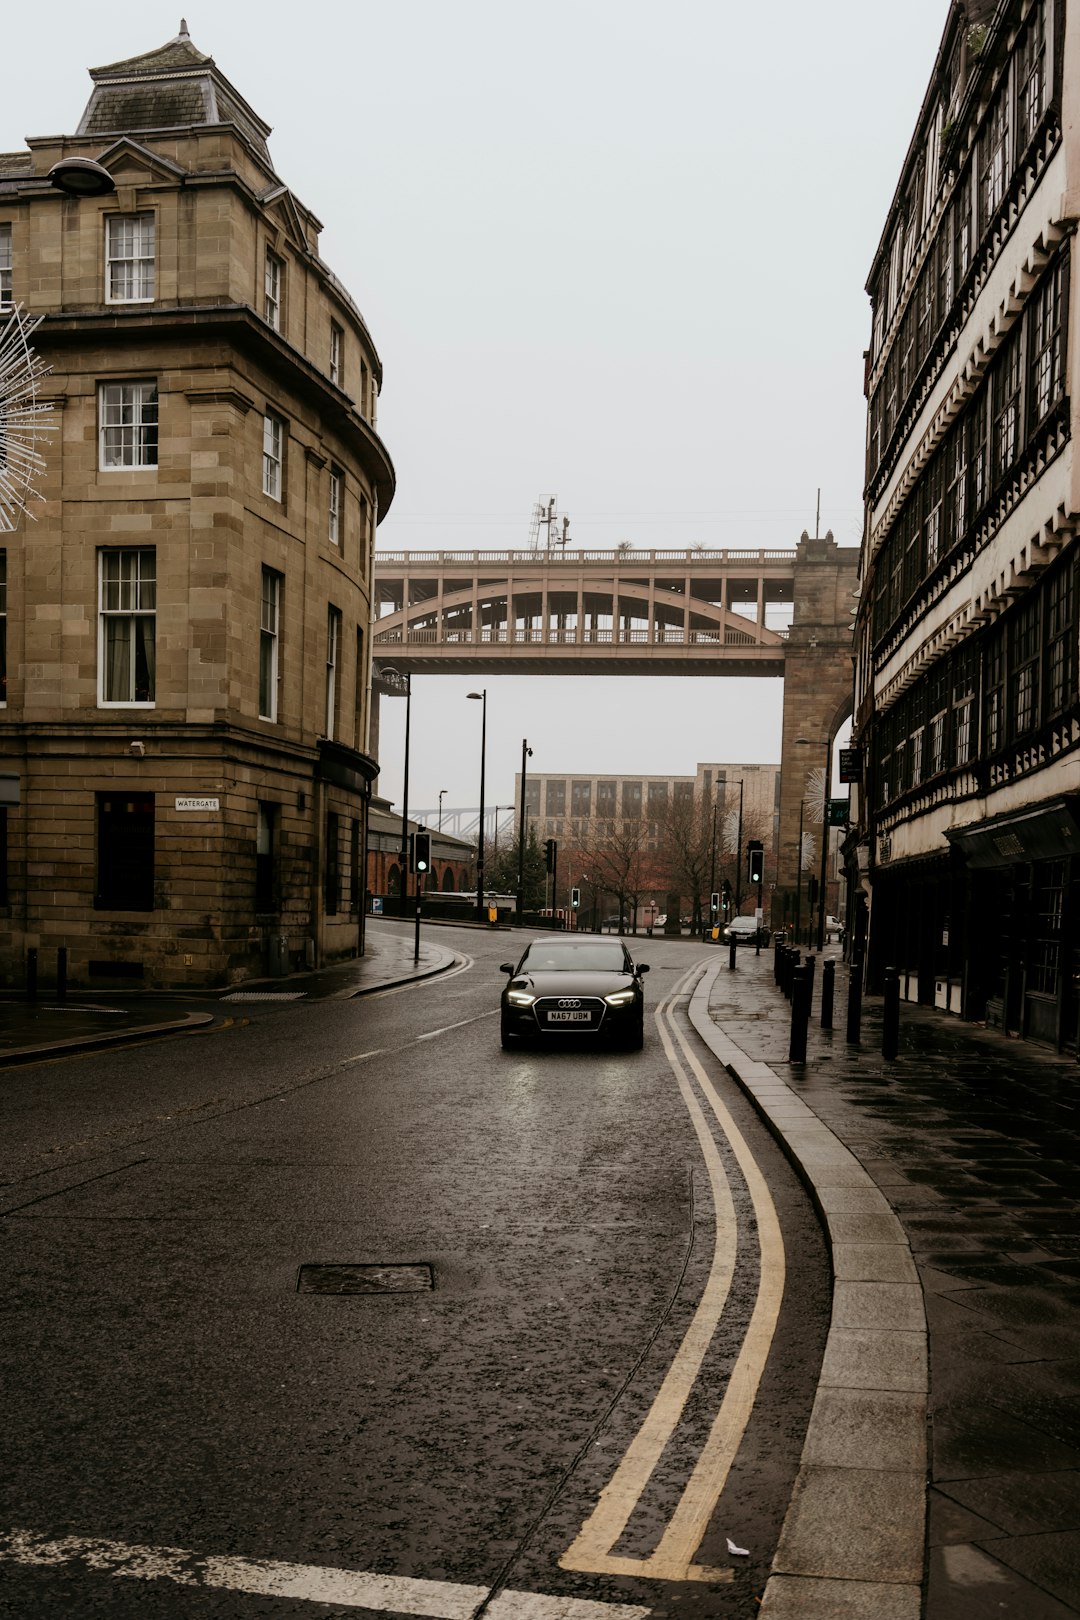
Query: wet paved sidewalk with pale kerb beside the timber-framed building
[{"x": 964, "y": 1157}]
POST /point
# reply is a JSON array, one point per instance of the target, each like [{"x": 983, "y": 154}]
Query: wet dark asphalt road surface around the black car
[{"x": 168, "y": 1384}]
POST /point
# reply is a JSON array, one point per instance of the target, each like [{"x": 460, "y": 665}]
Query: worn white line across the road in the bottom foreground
[{"x": 302, "y": 1582}]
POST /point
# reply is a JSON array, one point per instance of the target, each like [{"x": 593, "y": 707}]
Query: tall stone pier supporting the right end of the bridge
[{"x": 819, "y": 694}]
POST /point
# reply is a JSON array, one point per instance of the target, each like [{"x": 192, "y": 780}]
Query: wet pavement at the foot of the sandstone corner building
[{"x": 87, "y": 1020}]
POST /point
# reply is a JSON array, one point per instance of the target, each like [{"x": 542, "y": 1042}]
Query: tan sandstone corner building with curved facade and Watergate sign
[{"x": 187, "y": 652}]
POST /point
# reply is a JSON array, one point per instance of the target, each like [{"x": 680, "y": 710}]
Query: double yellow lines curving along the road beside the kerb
[{"x": 673, "y": 1558}]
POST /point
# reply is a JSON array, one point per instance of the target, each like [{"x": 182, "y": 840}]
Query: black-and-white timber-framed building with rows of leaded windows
[{"x": 967, "y": 633}]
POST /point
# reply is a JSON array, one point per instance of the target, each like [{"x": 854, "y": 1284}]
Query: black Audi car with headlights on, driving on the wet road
[{"x": 576, "y": 987}]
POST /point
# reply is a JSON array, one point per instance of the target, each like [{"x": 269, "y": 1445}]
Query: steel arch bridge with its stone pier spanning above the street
[{"x": 637, "y": 613}]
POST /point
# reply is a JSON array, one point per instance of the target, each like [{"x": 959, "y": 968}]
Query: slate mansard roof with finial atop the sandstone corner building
[{"x": 172, "y": 87}]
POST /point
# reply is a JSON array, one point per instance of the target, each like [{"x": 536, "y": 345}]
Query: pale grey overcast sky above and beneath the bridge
[{"x": 608, "y": 250}]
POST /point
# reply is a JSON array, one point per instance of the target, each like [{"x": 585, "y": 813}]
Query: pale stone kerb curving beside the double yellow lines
[{"x": 854, "y": 1535}]
